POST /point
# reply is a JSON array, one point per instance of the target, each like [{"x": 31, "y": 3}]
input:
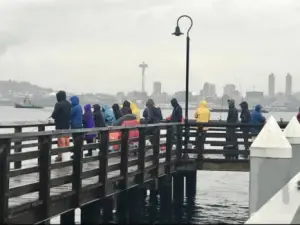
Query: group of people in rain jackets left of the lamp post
[{"x": 69, "y": 115}]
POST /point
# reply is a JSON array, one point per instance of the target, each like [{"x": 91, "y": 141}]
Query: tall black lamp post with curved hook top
[{"x": 179, "y": 33}]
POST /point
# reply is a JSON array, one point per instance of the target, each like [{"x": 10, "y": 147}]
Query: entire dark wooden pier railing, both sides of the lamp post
[{"x": 34, "y": 188}]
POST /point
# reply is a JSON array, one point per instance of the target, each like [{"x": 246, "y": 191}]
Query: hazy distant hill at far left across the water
[{"x": 13, "y": 87}]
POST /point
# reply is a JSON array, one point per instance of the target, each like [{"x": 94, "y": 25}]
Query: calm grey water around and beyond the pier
[{"x": 221, "y": 196}]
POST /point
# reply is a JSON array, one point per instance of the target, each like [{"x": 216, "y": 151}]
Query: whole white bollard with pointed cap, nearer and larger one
[{"x": 270, "y": 158}]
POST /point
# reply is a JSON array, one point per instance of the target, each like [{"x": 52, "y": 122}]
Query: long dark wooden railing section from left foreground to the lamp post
[{"x": 41, "y": 188}]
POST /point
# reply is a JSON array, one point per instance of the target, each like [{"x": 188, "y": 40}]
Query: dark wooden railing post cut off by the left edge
[{"x": 5, "y": 146}]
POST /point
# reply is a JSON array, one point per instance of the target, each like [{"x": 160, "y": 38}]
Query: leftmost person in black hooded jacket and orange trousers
[{"x": 62, "y": 117}]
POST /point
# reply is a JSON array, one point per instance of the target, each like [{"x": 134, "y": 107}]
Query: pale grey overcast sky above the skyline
[{"x": 97, "y": 45}]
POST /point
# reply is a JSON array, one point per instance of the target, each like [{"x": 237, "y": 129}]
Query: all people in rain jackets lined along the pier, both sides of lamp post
[{"x": 69, "y": 115}]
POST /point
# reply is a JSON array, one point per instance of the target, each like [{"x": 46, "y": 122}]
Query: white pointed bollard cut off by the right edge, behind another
[{"x": 292, "y": 133}]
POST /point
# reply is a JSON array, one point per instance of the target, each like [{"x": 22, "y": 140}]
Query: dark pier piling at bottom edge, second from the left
[{"x": 90, "y": 214}]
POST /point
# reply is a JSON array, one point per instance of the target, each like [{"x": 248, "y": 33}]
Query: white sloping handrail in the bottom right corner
[{"x": 282, "y": 208}]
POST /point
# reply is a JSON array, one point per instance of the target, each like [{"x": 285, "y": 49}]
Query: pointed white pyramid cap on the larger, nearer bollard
[{"x": 271, "y": 142}]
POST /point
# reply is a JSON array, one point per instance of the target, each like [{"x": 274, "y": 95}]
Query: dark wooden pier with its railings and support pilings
[{"x": 34, "y": 188}]
